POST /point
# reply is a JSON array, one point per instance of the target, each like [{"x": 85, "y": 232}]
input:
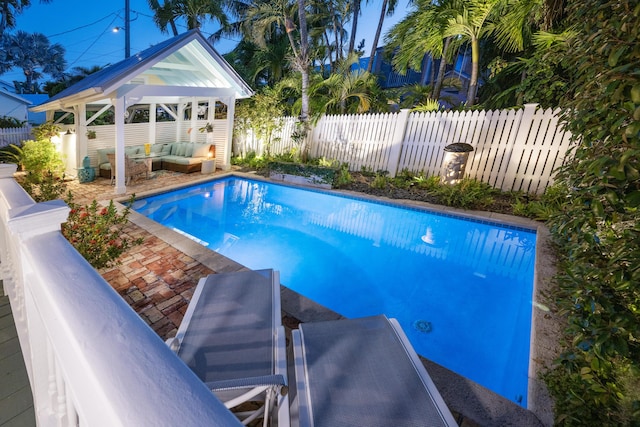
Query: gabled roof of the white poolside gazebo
[{"x": 181, "y": 66}]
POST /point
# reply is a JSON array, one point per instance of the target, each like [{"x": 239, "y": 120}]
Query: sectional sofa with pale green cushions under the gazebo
[{"x": 185, "y": 157}]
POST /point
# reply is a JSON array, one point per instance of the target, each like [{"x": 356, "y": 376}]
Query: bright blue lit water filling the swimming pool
[{"x": 461, "y": 289}]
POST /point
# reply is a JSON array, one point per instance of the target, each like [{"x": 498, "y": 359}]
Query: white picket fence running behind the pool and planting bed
[{"x": 513, "y": 149}]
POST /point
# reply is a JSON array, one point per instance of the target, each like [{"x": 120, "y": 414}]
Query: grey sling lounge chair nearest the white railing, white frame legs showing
[{"x": 233, "y": 339}]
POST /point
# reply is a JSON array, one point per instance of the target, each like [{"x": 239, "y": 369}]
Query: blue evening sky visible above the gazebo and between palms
[{"x": 84, "y": 28}]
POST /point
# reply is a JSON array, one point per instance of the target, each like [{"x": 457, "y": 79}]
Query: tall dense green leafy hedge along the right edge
[{"x": 596, "y": 377}]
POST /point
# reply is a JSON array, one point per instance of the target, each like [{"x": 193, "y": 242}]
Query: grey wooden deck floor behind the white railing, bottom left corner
[{"x": 16, "y": 402}]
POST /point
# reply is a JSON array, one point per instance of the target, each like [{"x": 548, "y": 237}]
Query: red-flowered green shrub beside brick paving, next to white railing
[{"x": 96, "y": 232}]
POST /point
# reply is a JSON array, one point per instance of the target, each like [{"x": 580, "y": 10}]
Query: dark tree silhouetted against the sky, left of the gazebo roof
[{"x": 35, "y": 55}]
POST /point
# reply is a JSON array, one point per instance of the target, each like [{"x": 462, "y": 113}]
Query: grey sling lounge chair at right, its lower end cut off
[{"x": 363, "y": 372}]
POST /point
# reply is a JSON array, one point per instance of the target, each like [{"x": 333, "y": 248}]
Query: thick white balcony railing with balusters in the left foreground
[{"x": 90, "y": 359}]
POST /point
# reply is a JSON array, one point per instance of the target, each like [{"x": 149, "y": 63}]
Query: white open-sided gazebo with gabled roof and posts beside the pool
[{"x": 180, "y": 74}]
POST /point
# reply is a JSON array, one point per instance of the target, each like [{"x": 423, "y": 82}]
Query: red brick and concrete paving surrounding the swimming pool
[{"x": 157, "y": 279}]
